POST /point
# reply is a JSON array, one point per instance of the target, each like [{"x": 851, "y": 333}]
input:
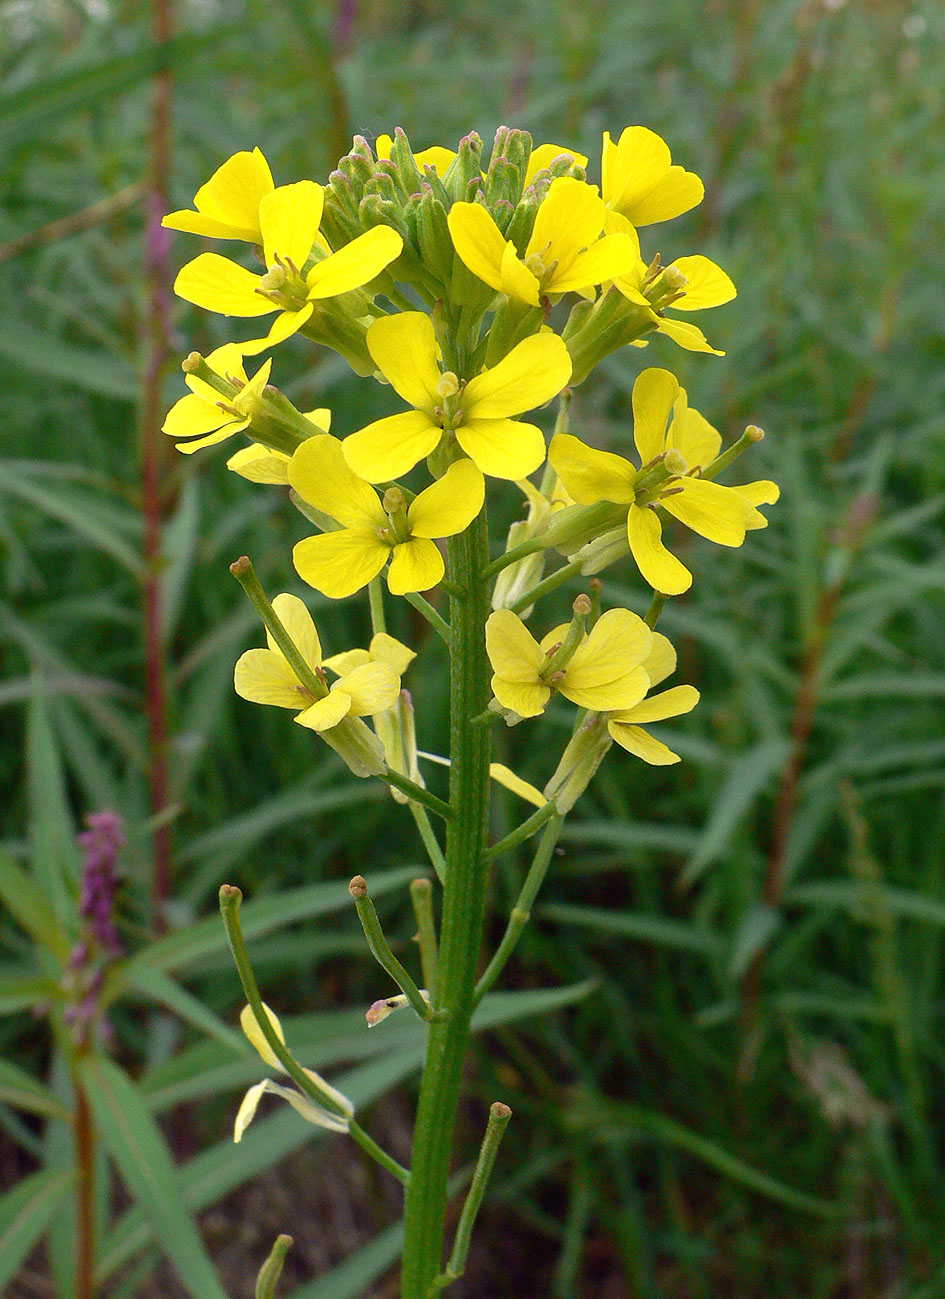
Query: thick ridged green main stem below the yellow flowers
[{"x": 465, "y": 903}]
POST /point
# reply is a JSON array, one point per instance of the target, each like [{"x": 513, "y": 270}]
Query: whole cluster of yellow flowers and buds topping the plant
[{"x": 478, "y": 290}]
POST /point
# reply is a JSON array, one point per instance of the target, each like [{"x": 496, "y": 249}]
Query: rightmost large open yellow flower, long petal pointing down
[{"x": 673, "y": 460}]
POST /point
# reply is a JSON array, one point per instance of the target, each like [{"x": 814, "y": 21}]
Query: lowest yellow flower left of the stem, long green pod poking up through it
[{"x": 266, "y": 676}]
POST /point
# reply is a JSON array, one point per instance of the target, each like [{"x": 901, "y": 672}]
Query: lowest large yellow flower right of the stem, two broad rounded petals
[{"x": 602, "y": 674}]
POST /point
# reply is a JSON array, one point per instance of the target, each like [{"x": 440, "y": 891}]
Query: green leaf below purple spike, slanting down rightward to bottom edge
[{"x": 148, "y": 1170}]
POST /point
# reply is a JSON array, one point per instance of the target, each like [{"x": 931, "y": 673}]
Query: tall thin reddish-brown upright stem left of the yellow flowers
[{"x": 154, "y": 454}]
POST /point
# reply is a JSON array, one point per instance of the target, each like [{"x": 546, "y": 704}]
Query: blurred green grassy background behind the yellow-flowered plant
[{"x": 722, "y": 1035}]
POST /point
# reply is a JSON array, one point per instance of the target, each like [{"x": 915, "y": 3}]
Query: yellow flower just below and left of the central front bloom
[{"x": 375, "y": 531}]
